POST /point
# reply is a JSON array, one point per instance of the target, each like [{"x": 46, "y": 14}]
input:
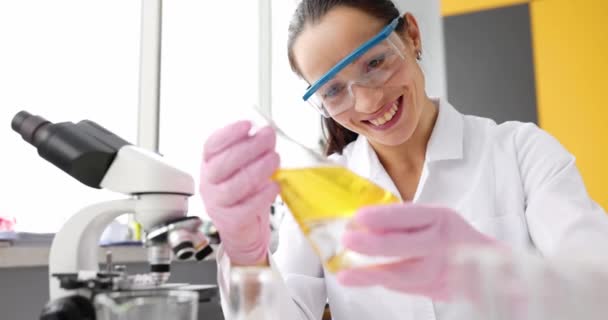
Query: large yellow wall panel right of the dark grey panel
[{"x": 571, "y": 66}]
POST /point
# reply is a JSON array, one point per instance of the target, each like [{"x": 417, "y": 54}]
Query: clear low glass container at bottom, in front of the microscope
[{"x": 147, "y": 305}]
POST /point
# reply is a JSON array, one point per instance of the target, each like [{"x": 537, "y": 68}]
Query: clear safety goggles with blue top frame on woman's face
[{"x": 372, "y": 65}]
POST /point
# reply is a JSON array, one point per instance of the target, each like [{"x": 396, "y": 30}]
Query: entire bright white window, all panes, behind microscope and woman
[{"x": 69, "y": 60}]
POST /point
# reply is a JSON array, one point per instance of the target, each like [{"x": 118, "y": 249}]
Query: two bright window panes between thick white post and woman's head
[{"x": 210, "y": 78}]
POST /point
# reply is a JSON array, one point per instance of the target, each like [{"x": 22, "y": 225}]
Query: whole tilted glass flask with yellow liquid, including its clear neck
[{"x": 323, "y": 196}]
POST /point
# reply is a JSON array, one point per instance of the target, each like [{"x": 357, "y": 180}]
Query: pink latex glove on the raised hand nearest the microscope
[{"x": 237, "y": 190}]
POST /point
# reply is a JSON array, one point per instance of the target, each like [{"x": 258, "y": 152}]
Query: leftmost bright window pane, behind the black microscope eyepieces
[{"x": 66, "y": 60}]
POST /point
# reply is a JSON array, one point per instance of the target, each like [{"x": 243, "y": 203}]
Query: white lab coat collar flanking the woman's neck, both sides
[{"x": 445, "y": 143}]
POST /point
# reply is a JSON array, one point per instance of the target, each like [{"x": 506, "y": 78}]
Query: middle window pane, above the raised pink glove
[{"x": 209, "y": 76}]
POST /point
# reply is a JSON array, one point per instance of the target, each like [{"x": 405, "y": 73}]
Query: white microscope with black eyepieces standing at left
[{"x": 157, "y": 195}]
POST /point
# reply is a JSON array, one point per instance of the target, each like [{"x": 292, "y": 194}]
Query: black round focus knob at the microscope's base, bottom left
[{"x": 69, "y": 308}]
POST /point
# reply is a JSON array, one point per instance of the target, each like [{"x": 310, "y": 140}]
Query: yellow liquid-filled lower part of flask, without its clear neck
[{"x": 322, "y": 201}]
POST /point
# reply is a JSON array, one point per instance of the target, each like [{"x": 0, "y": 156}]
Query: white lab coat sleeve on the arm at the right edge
[{"x": 561, "y": 216}]
